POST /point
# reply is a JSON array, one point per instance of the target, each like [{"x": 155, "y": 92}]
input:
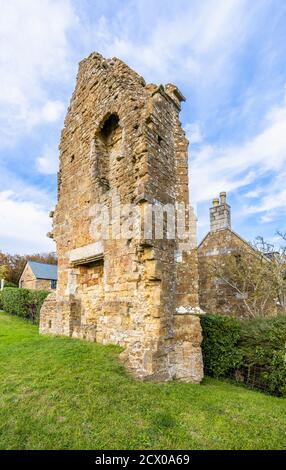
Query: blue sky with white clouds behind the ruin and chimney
[{"x": 228, "y": 57}]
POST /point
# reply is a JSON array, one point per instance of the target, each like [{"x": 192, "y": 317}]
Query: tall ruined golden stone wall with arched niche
[{"x": 123, "y": 135}]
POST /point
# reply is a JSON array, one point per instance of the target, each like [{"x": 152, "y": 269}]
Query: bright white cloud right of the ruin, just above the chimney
[{"x": 232, "y": 167}]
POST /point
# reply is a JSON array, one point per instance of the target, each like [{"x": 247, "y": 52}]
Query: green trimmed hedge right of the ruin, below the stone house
[{"x": 249, "y": 351}]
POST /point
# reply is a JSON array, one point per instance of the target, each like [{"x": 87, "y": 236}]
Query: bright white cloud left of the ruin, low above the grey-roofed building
[{"x": 24, "y": 225}]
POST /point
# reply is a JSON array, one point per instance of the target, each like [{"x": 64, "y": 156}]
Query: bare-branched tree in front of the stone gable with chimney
[{"x": 256, "y": 275}]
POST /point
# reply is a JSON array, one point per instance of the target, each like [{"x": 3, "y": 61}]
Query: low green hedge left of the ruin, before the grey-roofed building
[{"x": 24, "y": 303}]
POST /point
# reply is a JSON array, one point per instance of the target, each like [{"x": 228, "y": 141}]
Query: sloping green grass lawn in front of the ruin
[{"x": 58, "y": 393}]
